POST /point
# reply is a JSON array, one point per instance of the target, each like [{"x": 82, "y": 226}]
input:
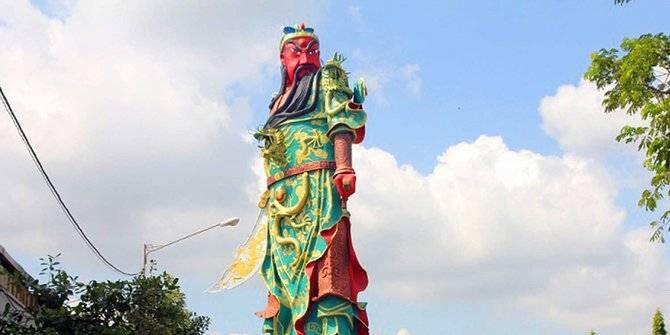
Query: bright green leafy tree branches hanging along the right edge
[{"x": 636, "y": 81}]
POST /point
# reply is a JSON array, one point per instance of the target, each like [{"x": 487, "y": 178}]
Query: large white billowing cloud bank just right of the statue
[{"x": 507, "y": 228}]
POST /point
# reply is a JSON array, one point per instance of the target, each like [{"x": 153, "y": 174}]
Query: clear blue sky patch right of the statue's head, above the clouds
[{"x": 491, "y": 59}]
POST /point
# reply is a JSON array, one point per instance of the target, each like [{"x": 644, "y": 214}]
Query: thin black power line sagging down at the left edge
[{"x": 55, "y": 193}]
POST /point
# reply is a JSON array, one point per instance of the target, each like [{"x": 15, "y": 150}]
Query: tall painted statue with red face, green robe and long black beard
[{"x": 302, "y": 243}]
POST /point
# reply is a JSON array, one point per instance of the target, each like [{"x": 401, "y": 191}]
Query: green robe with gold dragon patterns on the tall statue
[{"x": 303, "y": 206}]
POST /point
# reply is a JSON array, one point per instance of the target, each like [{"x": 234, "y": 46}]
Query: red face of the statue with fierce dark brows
[{"x": 300, "y": 57}]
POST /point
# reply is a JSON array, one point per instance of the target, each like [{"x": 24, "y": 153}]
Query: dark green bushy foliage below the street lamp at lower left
[{"x": 151, "y": 305}]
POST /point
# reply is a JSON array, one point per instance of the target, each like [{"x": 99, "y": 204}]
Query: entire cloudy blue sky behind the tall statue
[{"x": 441, "y": 74}]
